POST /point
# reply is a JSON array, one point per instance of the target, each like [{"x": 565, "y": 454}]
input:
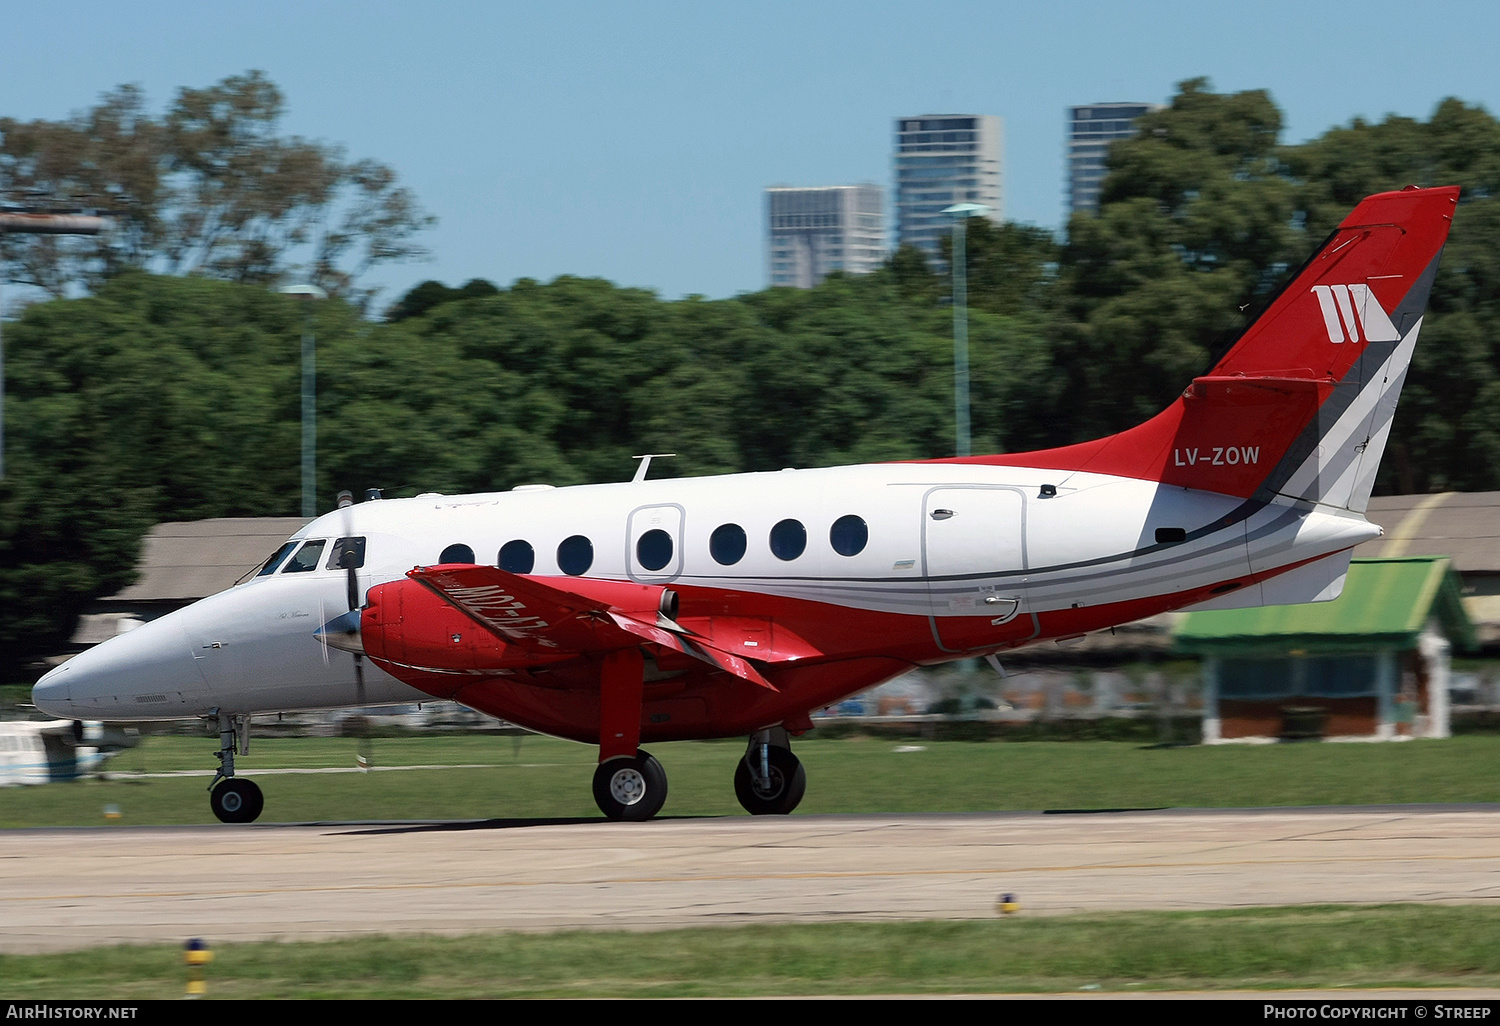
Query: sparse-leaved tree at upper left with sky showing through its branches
[{"x": 211, "y": 188}]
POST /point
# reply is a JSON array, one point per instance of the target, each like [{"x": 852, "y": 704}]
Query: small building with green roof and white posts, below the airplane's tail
[{"x": 1373, "y": 664}]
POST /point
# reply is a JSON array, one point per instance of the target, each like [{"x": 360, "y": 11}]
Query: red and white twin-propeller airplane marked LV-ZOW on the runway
[{"x": 647, "y": 611}]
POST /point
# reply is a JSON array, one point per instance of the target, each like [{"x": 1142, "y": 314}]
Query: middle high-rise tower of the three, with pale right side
[{"x": 944, "y": 160}]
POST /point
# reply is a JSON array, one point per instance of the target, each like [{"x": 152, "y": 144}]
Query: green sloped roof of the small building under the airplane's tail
[{"x": 1385, "y": 605}]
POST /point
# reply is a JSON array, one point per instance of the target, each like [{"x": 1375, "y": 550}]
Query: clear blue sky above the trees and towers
[{"x": 634, "y": 142}]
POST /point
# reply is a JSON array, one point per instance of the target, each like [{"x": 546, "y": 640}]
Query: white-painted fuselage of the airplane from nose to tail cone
[{"x": 943, "y": 541}]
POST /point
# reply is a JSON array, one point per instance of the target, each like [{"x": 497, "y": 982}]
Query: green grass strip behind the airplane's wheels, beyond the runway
[{"x": 526, "y": 778}]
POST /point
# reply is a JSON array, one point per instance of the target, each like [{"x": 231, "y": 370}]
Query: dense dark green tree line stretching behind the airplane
[{"x": 161, "y": 398}]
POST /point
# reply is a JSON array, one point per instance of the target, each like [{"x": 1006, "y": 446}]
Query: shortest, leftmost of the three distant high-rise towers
[{"x": 814, "y": 232}]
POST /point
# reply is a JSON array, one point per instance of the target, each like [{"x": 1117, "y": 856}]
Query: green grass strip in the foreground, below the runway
[{"x": 1129, "y": 952}]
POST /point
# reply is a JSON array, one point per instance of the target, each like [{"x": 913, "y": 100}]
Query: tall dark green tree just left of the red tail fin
[{"x": 1195, "y": 227}]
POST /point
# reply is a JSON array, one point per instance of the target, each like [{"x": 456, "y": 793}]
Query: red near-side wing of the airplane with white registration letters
[{"x": 545, "y": 619}]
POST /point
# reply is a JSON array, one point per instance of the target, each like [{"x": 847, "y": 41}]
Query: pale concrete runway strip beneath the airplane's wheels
[{"x": 76, "y": 889}]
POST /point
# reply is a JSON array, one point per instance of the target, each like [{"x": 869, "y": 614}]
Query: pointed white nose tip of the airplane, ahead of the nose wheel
[{"x": 145, "y": 674}]
